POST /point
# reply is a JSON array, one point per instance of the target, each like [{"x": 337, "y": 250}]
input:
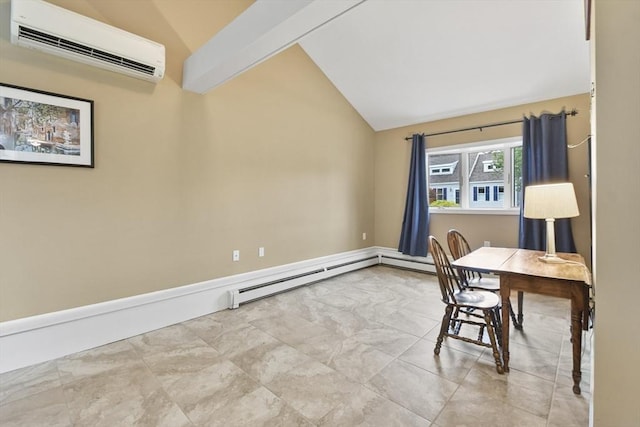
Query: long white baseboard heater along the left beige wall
[{"x": 297, "y": 279}]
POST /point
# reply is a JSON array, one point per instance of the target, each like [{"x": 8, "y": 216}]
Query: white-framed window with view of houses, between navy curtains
[{"x": 481, "y": 176}]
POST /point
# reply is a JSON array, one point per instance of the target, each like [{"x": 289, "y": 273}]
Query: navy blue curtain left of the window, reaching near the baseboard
[{"x": 415, "y": 224}]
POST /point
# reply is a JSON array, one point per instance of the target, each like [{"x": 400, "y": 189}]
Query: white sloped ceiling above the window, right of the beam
[{"x": 402, "y": 62}]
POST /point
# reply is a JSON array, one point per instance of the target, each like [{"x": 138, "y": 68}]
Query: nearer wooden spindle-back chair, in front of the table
[{"x": 459, "y": 300}]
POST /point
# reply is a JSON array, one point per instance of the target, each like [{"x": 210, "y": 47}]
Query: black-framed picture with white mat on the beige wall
[{"x": 45, "y": 128}]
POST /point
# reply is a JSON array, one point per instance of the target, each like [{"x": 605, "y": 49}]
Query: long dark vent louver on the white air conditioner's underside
[{"x": 68, "y": 45}]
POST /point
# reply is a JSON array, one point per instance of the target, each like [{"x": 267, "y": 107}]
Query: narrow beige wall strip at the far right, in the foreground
[{"x": 616, "y": 373}]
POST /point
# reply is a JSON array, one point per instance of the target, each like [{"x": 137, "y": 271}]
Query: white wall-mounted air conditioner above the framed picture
[{"x": 40, "y": 25}]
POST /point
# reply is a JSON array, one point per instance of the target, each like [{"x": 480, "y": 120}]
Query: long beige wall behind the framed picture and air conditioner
[{"x": 275, "y": 158}]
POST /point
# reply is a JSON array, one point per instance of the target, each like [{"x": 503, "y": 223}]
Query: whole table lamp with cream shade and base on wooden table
[{"x": 548, "y": 202}]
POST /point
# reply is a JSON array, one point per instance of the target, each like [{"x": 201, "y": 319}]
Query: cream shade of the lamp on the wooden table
[{"x": 550, "y": 201}]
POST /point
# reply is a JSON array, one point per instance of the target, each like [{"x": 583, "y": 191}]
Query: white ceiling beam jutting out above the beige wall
[{"x": 264, "y": 29}]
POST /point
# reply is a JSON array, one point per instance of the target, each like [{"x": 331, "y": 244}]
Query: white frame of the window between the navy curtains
[{"x": 505, "y": 144}]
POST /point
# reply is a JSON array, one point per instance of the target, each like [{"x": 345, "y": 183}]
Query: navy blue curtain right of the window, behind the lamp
[{"x": 544, "y": 161}]
